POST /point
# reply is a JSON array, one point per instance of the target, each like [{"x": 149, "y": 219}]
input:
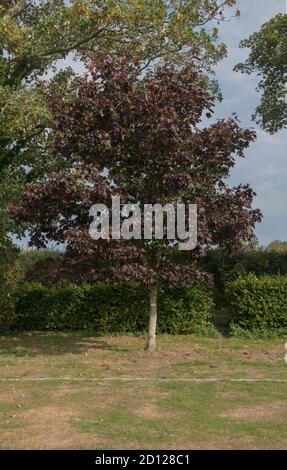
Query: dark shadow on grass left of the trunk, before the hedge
[{"x": 51, "y": 344}]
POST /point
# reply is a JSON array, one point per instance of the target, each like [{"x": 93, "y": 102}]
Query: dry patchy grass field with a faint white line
[{"x": 75, "y": 391}]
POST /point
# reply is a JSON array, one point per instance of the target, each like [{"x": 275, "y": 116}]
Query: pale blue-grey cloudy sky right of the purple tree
[{"x": 265, "y": 162}]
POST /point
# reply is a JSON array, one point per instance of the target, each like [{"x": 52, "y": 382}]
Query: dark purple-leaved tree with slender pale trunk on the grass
[{"x": 140, "y": 138}]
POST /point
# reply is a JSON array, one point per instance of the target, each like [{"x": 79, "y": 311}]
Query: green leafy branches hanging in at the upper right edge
[{"x": 268, "y": 59}]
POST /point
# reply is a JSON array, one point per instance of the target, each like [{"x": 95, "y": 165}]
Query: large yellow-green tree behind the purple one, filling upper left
[{"x": 35, "y": 35}]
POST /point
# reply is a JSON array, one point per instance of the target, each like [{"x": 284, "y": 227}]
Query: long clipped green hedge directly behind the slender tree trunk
[{"x": 107, "y": 309}]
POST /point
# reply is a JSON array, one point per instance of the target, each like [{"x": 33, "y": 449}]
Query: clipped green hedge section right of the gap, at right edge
[{"x": 258, "y": 304}]
